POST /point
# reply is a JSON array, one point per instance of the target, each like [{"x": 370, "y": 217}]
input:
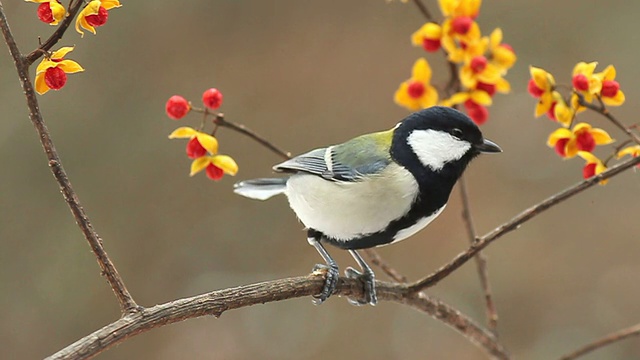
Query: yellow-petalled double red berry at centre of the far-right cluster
[{"x": 582, "y": 138}]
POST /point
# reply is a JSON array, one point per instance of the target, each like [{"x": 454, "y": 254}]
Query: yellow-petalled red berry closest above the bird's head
[{"x": 417, "y": 92}]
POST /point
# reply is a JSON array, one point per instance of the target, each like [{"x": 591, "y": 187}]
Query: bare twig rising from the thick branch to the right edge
[{"x": 518, "y": 220}]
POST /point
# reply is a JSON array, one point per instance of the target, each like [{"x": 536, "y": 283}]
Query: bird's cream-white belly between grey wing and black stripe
[{"x": 344, "y": 210}]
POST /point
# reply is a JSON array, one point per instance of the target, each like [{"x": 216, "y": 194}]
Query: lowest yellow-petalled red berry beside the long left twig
[{"x": 52, "y": 71}]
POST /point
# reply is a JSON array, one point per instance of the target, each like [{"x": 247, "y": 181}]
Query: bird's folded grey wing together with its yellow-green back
[{"x": 363, "y": 156}]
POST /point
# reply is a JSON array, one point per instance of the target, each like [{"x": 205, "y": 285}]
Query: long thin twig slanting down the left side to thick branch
[{"x": 127, "y": 304}]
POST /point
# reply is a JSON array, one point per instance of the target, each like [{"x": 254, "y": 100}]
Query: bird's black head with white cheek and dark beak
[{"x": 437, "y": 136}]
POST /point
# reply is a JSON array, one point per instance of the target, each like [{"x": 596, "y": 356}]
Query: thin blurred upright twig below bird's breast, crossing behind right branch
[{"x": 480, "y": 259}]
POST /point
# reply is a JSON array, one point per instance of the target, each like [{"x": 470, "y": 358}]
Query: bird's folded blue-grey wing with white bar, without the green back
[{"x": 324, "y": 162}]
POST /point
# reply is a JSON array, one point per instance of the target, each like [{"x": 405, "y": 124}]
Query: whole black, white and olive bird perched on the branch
[{"x": 375, "y": 189}]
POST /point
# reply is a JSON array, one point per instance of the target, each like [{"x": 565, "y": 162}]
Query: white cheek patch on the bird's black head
[{"x": 436, "y": 148}]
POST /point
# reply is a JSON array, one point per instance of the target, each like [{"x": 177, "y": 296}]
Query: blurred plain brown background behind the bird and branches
[{"x": 303, "y": 74}]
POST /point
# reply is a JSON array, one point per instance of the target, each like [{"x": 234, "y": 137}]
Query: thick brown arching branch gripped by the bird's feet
[{"x": 217, "y": 302}]
